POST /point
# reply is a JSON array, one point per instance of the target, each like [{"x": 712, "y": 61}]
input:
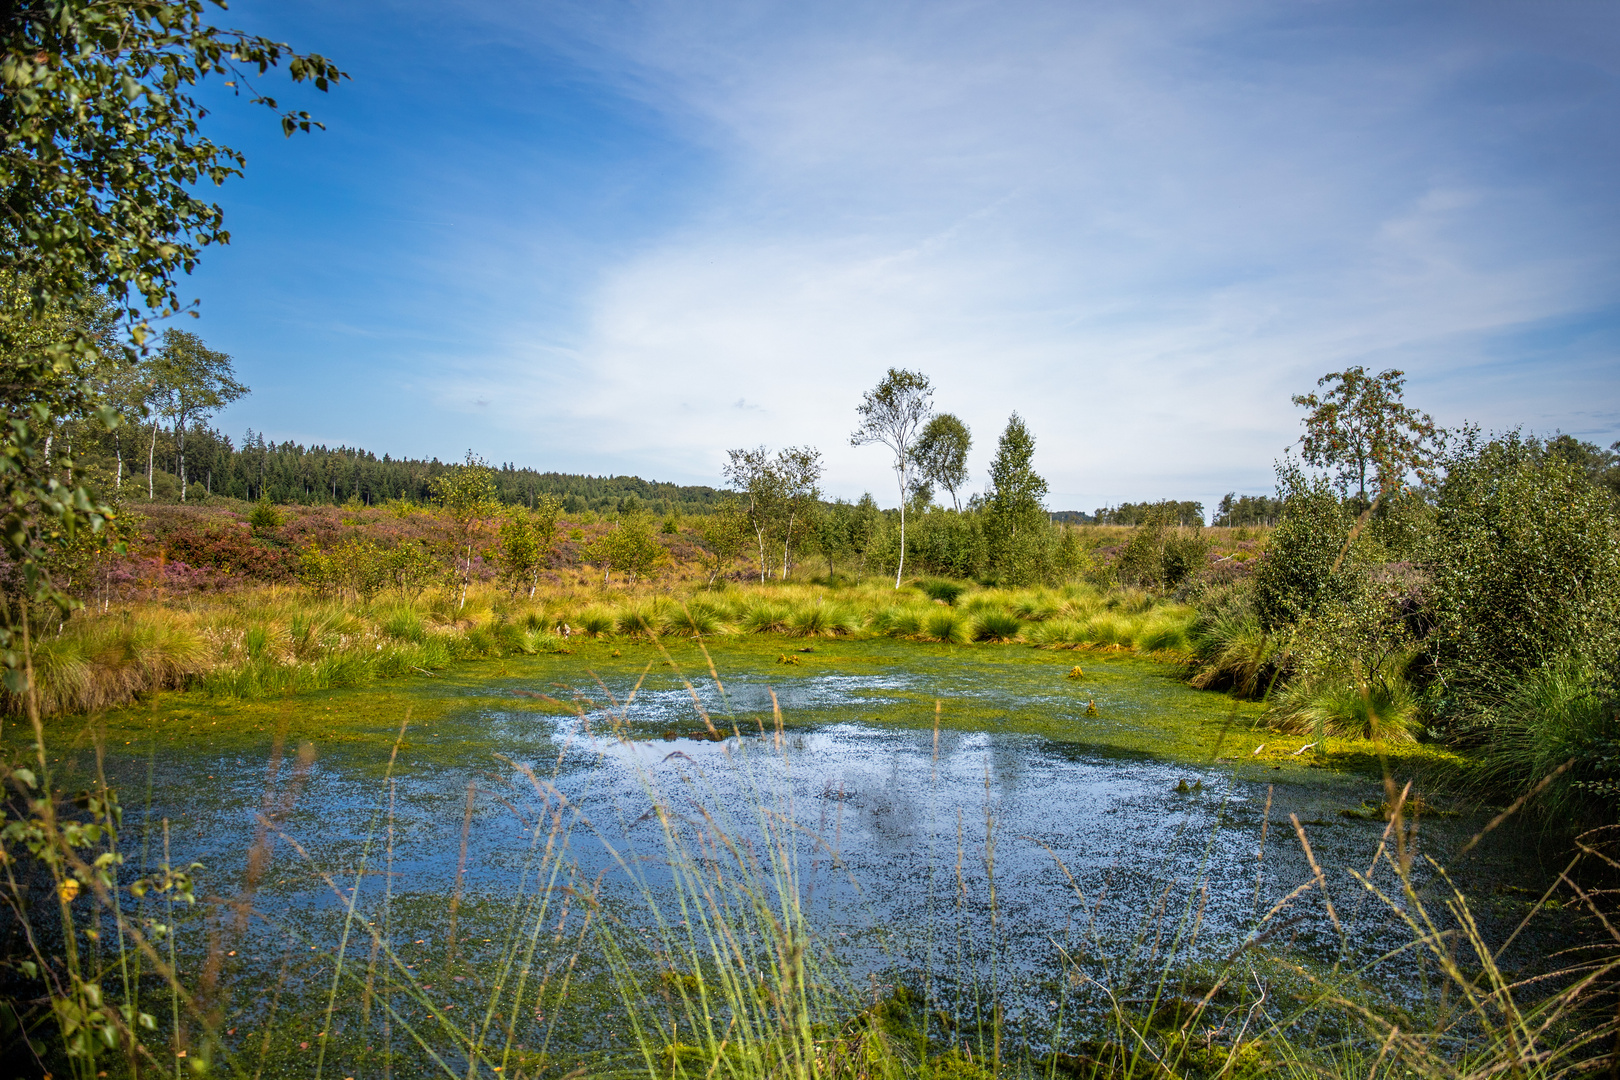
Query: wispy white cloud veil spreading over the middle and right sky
[{"x": 1141, "y": 226}]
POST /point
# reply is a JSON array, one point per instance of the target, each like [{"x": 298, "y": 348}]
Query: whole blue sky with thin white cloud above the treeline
[{"x": 623, "y": 237}]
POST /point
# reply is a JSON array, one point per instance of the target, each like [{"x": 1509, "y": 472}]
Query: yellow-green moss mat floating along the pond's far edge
[{"x": 1141, "y": 707}]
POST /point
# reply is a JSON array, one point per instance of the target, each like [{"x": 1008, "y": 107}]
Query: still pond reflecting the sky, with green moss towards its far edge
[{"x": 960, "y": 815}]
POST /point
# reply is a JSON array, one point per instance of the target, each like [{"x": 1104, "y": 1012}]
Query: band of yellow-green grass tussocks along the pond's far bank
[{"x": 271, "y": 640}]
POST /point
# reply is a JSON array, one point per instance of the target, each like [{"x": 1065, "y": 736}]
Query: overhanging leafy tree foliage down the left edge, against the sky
[{"x": 100, "y": 148}]
